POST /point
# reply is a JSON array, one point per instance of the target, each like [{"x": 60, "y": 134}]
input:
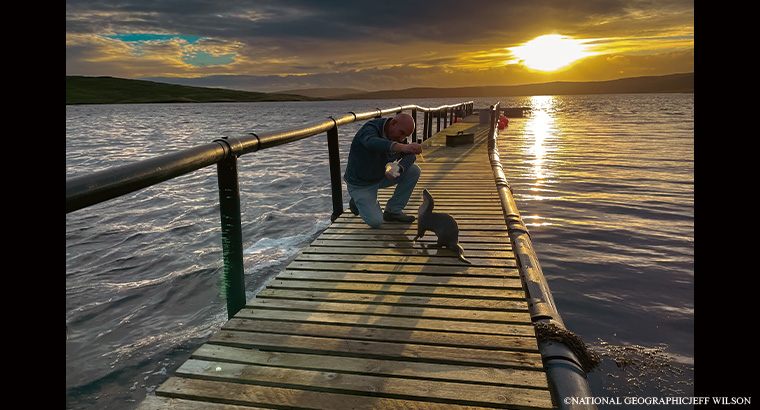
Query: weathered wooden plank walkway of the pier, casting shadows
[{"x": 368, "y": 319}]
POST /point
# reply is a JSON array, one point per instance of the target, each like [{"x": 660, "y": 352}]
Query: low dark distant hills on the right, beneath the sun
[{"x": 674, "y": 83}]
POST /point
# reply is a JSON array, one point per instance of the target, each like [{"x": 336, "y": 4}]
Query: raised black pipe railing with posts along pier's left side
[{"x": 91, "y": 189}]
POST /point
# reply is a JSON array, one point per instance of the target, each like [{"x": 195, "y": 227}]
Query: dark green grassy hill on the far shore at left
[{"x": 110, "y": 90}]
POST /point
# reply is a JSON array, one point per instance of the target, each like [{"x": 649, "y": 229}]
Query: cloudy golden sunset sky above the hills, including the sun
[{"x": 377, "y": 45}]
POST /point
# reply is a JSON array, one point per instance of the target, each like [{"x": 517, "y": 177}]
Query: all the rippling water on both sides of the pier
[{"x": 605, "y": 184}]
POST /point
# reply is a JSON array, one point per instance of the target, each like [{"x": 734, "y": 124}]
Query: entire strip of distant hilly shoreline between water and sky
[{"x": 111, "y": 90}]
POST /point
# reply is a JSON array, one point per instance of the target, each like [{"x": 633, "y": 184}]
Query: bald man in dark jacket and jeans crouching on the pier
[{"x": 379, "y": 159}]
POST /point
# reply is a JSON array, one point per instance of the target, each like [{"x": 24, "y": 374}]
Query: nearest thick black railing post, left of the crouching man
[{"x": 233, "y": 280}]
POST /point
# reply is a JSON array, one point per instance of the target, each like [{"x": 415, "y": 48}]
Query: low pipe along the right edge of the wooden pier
[{"x": 564, "y": 370}]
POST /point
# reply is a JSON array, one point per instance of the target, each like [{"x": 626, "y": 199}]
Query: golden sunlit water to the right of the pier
[{"x": 606, "y": 187}]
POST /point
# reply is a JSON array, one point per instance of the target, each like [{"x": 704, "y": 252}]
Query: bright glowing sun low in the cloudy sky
[{"x": 551, "y": 52}]
